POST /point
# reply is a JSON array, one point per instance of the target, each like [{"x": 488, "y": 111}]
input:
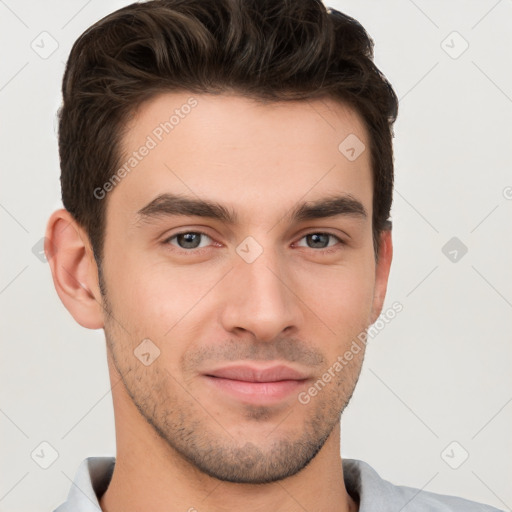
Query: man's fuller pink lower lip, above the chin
[{"x": 257, "y": 392}]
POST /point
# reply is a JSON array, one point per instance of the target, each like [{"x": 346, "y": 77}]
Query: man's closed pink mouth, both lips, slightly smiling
[{"x": 257, "y": 385}]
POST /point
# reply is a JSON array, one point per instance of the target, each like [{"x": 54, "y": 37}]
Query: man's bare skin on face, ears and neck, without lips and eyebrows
[{"x": 183, "y": 444}]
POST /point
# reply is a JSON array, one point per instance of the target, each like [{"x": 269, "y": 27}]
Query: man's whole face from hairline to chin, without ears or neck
[{"x": 239, "y": 268}]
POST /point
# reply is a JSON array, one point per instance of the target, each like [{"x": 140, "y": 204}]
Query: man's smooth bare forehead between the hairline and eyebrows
[{"x": 242, "y": 153}]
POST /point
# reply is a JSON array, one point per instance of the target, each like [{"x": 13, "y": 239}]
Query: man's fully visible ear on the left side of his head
[{"x": 74, "y": 269}]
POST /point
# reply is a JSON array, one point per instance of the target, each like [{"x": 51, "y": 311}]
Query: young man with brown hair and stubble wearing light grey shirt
[{"x": 227, "y": 177}]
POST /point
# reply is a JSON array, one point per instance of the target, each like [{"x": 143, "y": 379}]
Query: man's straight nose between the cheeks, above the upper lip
[{"x": 261, "y": 299}]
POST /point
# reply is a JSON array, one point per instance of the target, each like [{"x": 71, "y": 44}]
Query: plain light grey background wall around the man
[{"x": 438, "y": 373}]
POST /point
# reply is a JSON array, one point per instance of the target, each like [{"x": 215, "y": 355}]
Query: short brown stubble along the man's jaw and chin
[{"x": 195, "y": 436}]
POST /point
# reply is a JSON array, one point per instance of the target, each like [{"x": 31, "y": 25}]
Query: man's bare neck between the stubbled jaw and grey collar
[{"x": 149, "y": 475}]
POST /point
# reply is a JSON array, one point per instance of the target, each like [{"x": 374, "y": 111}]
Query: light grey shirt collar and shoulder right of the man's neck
[{"x": 375, "y": 493}]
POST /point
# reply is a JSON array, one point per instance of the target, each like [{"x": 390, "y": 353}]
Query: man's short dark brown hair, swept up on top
[{"x": 268, "y": 50}]
